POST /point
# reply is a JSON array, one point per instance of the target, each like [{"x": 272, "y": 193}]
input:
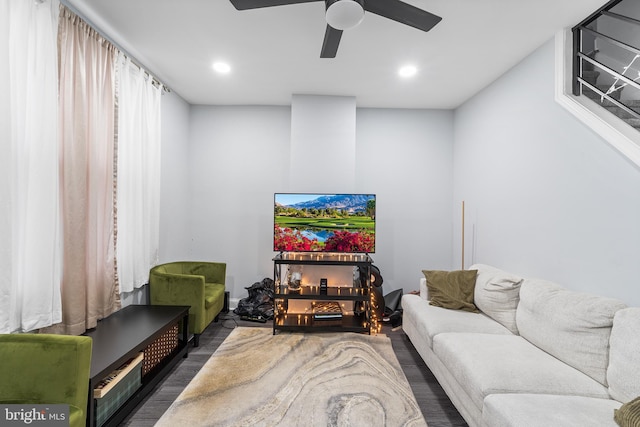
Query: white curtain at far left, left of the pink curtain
[{"x": 30, "y": 239}]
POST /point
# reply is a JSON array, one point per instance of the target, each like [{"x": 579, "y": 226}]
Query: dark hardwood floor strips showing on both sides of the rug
[{"x": 434, "y": 403}]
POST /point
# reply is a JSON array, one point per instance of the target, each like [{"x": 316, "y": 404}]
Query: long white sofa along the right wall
[{"x": 535, "y": 355}]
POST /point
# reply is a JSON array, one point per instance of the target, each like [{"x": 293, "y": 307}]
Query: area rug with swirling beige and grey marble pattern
[{"x": 256, "y": 378}]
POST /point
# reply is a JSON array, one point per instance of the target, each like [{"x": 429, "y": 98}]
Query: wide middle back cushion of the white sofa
[{"x": 572, "y": 326}]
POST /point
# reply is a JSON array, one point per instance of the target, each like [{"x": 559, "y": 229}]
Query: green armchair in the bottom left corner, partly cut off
[{"x": 40, "y": 369}]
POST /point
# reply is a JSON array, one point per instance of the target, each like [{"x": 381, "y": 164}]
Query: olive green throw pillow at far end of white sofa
[{"x": 452, "y": 289}]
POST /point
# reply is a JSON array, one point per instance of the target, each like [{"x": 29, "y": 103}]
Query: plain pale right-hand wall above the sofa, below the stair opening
[{"x": 545, "y": 196}]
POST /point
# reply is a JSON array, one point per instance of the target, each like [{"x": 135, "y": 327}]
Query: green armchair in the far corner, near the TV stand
[{"x": 200, "y": 285}]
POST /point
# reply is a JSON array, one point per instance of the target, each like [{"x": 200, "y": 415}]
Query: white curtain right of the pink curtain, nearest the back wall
[{"x": 138, "y": 199}]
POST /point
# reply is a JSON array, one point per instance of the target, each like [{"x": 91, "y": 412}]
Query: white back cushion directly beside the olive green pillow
[{"x": 497, "y": 294}]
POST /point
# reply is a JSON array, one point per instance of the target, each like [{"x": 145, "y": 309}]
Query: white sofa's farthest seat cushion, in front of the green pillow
[{"x": 431, "y": 321}]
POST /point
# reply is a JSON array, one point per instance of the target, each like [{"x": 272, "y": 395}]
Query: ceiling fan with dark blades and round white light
[{"x": 344, "y": 14}]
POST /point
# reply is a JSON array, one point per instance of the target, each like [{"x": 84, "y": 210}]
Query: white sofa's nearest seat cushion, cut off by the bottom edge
[{"x": 544, "y": 410}]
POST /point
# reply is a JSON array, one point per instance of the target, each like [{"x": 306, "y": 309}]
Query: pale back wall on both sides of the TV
[{"x": 239, "y": 157}]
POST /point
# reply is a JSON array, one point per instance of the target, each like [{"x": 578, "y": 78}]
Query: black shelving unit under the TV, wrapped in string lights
[{"x": 359, "y": 321}]
